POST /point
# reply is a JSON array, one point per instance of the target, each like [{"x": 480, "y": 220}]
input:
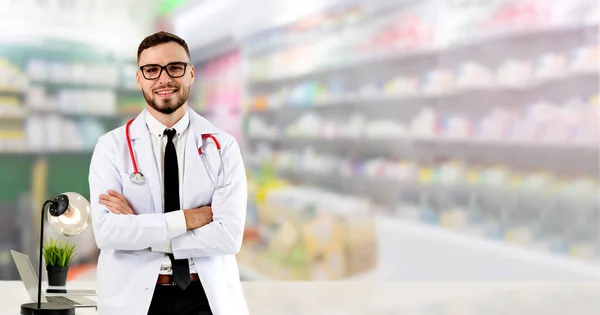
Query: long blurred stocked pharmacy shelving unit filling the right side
[{"x": 290, "y": 99}]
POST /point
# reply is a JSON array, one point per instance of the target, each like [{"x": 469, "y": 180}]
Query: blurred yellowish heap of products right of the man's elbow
[{"x": 308, "y": 234}]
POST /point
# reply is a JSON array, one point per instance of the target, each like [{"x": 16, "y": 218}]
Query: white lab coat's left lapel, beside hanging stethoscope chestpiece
[{"x": 145, "y": 159}]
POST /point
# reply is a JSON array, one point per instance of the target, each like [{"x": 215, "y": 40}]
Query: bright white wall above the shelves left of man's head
[{"x": 118, "y": 26}]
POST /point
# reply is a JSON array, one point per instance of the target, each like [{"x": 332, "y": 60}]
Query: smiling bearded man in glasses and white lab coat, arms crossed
[{"x": 168, "y": 242}]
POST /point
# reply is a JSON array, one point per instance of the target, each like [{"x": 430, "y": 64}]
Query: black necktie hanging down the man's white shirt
[{"x": 181, "y": 268}]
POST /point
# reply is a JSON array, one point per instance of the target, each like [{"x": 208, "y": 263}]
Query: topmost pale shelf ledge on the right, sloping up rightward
[{"x": 387, "y": 57}]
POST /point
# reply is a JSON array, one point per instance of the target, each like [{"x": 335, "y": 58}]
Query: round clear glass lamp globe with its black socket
[{"x": 71, "y": 216}]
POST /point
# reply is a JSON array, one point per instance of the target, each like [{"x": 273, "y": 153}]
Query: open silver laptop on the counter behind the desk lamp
[{"x": 30, "y": 280}]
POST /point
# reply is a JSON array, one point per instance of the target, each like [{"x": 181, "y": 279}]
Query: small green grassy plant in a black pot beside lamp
[{"x": 58, "y": 256}]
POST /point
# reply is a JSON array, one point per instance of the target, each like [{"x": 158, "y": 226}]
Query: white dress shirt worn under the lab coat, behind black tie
[{"x": 176, "y": 224}]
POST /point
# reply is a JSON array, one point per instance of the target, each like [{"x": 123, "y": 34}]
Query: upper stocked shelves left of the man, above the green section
[{"x": 62, "y": 80}]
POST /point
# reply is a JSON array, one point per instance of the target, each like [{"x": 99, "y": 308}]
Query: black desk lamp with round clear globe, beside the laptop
[{"x": 69, "y": 214}]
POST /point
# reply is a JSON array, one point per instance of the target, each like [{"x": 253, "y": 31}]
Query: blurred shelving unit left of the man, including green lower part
[{"x": 43, "y": 90}]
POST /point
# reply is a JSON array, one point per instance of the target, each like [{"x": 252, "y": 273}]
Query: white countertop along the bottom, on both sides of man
[{"x": 373, "y": 298}]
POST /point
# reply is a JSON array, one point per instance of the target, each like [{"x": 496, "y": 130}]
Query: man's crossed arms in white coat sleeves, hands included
[{"x": 210, "y": 230}]
